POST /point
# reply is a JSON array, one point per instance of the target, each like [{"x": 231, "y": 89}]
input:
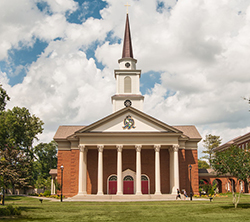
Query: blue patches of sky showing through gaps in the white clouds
[{"x": 19, "y": 59}]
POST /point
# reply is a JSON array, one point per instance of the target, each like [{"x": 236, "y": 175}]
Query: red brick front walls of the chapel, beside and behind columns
[{"x": 70, "y": 161}]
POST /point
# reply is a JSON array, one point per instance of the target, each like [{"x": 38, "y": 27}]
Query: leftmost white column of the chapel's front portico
[{"x": 82, "y": 170}]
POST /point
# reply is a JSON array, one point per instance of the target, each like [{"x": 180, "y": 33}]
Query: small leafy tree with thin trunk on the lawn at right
[{"x": 235, "y": 162}]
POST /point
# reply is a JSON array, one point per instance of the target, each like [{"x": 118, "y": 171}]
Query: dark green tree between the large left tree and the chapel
[{"x": 46, "y": 159}]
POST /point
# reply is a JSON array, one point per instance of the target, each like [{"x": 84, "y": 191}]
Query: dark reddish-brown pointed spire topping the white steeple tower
[{"x": 127, "y": 44}]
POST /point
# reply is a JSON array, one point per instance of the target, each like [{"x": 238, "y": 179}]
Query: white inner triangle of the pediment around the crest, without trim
[{"x": 139, "y": 124}]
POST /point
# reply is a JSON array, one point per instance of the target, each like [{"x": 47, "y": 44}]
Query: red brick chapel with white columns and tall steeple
[{"x": 127, "y": 152}]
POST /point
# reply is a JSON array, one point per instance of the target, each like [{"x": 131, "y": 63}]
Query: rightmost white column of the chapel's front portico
[{"x": 174, "y": 169}]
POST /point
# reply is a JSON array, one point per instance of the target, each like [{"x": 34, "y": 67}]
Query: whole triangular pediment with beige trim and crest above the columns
[{"x": 129, "y": 120}]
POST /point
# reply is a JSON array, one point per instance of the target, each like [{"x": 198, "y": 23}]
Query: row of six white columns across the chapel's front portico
[{"x": 138, "y": 148}]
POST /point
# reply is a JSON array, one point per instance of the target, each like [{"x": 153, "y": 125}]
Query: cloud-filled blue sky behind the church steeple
[{"x": 57, "y": 59}]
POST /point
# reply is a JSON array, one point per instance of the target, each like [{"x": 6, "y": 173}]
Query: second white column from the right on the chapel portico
[{"x": 157, "y": 170}]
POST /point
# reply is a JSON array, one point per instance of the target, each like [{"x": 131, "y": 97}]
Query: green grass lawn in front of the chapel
[{"x": 221, "y": 209}]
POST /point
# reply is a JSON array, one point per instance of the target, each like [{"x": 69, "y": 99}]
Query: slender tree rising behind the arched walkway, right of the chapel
[{"x": 209, "y": 144}]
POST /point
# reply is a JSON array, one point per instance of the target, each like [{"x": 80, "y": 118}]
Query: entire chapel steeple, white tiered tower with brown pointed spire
[{"x": 127, "y": 77}]
